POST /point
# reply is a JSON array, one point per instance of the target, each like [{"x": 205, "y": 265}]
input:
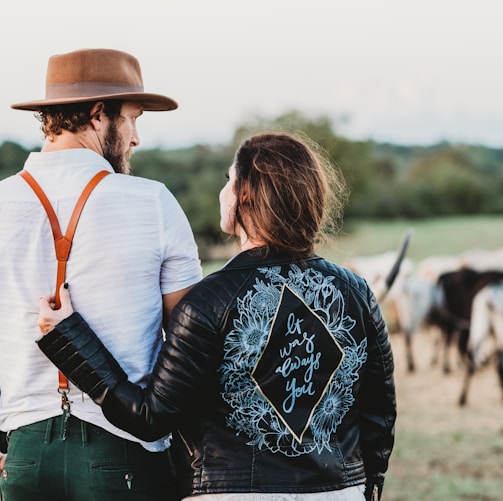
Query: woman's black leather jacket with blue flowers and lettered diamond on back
[{"x": 275, "y": 377}]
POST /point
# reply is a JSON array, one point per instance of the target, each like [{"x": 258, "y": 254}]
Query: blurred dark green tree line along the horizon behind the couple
[{"x": 385, "y": 180}]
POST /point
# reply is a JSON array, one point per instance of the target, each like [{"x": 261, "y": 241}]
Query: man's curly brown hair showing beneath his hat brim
[{"x": 72, "y": 117}]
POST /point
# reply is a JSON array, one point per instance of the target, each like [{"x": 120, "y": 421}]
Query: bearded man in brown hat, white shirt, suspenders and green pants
[{"x": 133, "y": 257}]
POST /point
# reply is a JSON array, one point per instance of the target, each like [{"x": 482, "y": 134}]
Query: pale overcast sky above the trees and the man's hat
[{"x": 404, "y": 71}]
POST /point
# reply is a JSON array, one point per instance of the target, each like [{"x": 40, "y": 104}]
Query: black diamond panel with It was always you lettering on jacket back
[{"x": 298, "y": 362}]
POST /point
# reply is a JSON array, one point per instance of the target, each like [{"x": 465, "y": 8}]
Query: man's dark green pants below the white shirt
[{"x": 47, "y": 461}]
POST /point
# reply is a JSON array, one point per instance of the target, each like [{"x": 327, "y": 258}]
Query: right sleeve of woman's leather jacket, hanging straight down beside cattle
[{"x": 377, "y": 402}]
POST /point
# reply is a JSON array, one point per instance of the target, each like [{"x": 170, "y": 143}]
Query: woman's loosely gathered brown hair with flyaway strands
[{"x": 287, "y": 192}]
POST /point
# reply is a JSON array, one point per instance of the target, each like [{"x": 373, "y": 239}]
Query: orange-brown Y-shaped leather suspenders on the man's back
[{"x": 63, "y": 244}]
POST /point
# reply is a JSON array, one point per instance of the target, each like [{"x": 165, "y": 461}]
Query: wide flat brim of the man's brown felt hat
[{"x": 150, "y": 102}]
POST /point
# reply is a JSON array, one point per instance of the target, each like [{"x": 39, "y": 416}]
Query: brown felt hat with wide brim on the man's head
[{"x": 93, "y": 75}]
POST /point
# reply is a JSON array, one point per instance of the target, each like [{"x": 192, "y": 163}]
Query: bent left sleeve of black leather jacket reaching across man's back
[{"x": 185, "y": 364}]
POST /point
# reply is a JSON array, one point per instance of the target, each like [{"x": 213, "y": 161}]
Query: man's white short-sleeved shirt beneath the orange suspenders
[{"x": 133, "y": 244}]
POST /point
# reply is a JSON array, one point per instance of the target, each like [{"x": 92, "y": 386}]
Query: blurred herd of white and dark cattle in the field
[{"x": 460, "y": 296}]
